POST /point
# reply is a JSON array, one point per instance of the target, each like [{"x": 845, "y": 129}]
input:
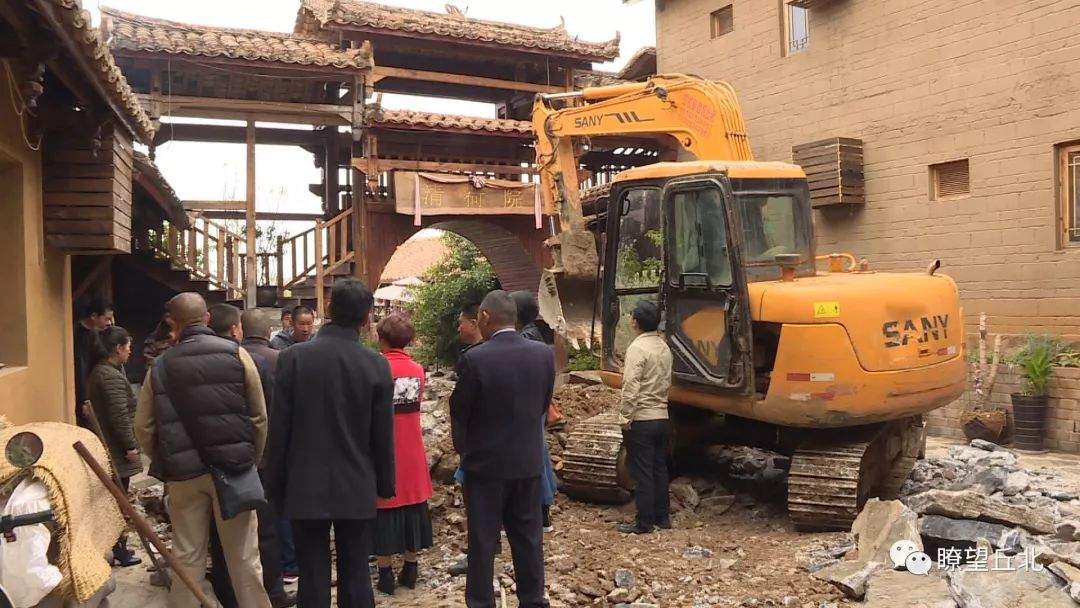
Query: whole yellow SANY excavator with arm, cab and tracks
[{"x": 833, "y": 369}]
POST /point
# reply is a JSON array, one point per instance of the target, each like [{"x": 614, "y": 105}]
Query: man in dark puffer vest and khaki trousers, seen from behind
[{"x": 210, "y": 394}]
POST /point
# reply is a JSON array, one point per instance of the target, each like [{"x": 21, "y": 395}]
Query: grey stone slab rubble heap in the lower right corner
[{"x": 973, "y": 529}]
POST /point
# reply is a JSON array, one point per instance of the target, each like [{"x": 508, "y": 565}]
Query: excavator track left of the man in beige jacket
[{"x": 591, "y": 462}]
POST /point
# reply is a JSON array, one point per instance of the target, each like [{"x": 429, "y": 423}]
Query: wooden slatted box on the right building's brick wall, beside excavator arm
[{"x": 834, "y": 169}]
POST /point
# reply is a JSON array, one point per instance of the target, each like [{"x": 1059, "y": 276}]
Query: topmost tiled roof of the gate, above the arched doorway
[{"x": 316, "y": 16}]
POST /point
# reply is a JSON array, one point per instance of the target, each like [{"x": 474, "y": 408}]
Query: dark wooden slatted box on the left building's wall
[{"x": 88, "y": 193}]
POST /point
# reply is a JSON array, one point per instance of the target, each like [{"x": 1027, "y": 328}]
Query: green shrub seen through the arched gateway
[{"x": 462, "y": 278}]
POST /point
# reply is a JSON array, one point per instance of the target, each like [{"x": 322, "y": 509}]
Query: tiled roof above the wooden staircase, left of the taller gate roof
[{"x": 139, "y": 33}]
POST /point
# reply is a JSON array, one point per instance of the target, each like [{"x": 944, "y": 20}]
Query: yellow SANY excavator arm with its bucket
[{"x": 701, "y": 117}]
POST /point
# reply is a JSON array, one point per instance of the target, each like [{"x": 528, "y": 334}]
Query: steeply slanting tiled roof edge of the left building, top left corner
[{"x": 77, "y": 24}]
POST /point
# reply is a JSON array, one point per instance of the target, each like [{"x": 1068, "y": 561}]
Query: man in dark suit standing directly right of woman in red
[{"x": 497, "y": 407}]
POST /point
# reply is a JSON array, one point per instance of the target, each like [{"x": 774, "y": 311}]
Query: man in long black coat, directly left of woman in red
[{"x": 332, "y": 449}]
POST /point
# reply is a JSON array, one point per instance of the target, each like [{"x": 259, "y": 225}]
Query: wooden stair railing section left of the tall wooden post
[{"x": 209, "y": 251}]
